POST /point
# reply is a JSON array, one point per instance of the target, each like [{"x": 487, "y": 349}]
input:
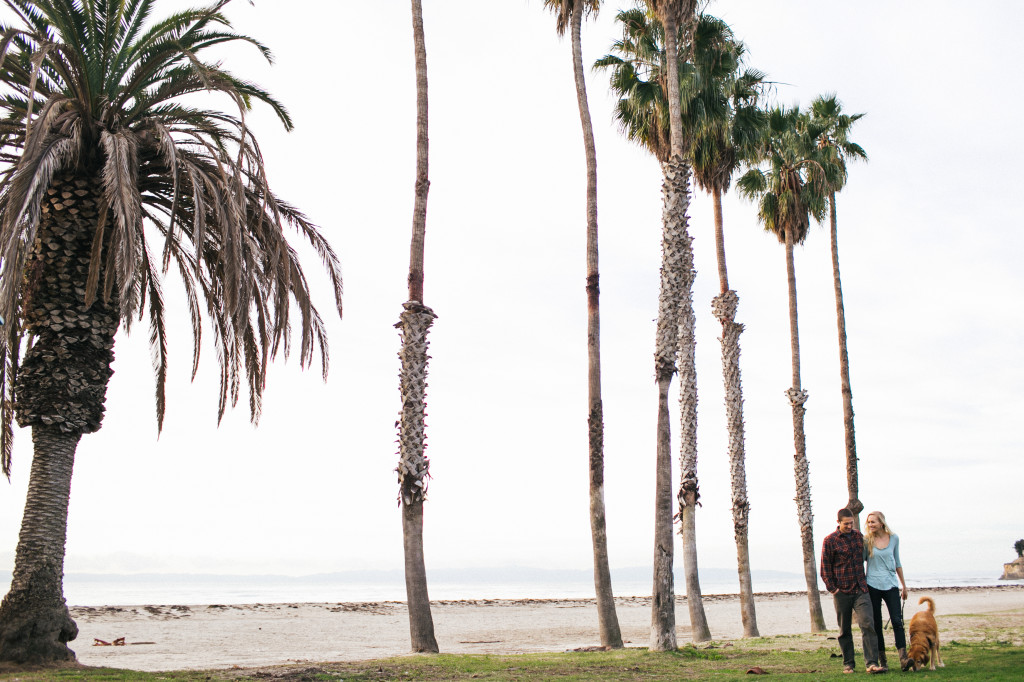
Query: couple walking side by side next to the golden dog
[{"x": 857, "y": 593}]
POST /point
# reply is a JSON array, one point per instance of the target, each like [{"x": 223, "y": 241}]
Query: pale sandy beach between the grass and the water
[{"x": 178, "y": 637}]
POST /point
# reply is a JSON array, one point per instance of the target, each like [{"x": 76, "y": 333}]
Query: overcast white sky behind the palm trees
[{"x": 930, "y": 240}]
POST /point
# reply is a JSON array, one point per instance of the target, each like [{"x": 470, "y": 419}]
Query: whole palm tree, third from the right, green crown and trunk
[{"x": 726, "y": 131}]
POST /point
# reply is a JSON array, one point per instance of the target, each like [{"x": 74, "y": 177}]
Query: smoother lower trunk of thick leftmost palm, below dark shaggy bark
[{"x": 35, "y": 625}]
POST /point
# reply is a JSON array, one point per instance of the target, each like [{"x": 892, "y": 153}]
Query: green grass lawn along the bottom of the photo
[{"x": 993, "y": 661}]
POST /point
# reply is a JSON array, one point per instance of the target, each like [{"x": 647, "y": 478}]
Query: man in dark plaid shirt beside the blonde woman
[{"x": 843, "y": 572}]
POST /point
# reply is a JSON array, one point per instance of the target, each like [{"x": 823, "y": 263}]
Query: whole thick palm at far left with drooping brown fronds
[{"x": 103, "y": 163}]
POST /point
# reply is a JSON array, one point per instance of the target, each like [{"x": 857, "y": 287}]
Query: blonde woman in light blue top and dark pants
[{"x": 884, "y": 570}]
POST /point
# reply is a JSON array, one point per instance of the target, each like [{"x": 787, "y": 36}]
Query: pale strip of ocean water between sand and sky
[{"x": 99, "y": 590}]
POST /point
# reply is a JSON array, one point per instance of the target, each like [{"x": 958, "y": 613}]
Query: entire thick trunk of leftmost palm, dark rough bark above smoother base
[{"x": 61, "y": 390}]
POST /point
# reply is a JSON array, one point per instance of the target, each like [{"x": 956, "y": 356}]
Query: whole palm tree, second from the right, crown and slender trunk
[{"x": 788, "y": 193}]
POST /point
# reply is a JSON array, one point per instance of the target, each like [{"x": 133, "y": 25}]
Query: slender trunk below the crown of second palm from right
[{"x": 798, "y": 397}]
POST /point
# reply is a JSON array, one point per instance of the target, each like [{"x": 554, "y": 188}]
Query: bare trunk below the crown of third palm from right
[{"x": 724, "y": 308}]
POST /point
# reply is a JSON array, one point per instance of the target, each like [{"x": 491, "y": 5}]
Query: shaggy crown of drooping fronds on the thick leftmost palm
[{"x": 97, "y": 91}]
